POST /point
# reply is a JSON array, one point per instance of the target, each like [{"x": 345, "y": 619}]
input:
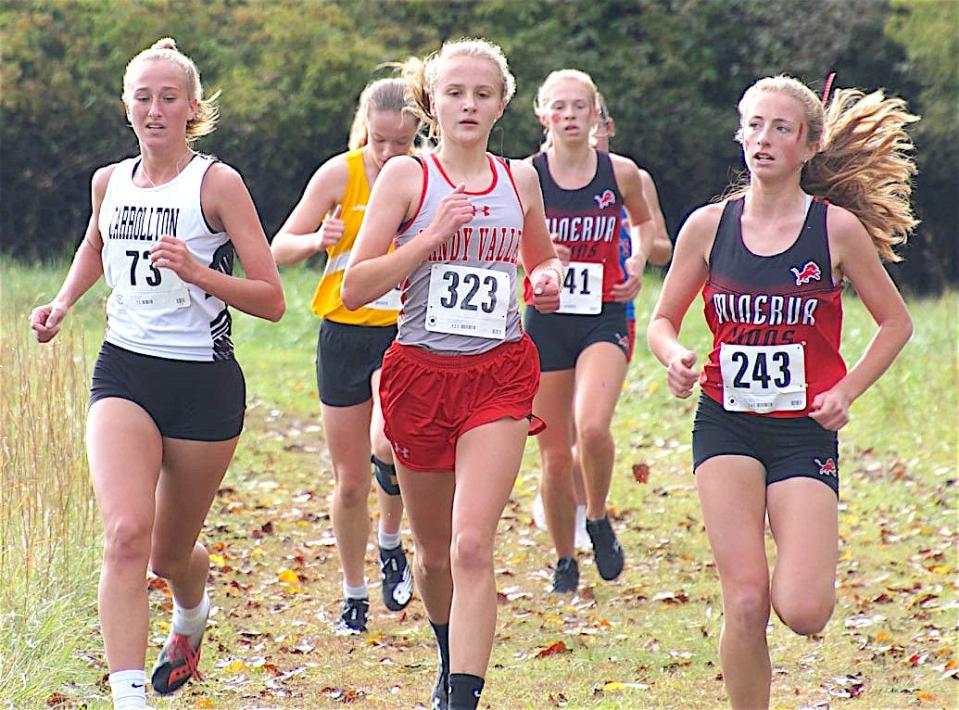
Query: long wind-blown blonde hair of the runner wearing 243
[{"x": 864, "y": 163}]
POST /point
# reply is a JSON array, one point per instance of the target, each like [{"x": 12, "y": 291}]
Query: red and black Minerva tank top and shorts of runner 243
[{"x": 776, "y": 323}]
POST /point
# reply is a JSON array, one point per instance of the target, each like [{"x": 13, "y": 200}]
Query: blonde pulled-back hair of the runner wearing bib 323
[{"x": 420, "y": 75}]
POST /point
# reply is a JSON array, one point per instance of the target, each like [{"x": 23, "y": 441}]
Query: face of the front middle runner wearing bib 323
[{"x": 468, "y": 99}]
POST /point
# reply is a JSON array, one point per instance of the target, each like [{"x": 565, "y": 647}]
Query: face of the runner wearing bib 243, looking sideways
[{"x": 774, "y": 135}]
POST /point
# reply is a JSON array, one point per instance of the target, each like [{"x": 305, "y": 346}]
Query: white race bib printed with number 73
[{"x": 139, "y": 284}]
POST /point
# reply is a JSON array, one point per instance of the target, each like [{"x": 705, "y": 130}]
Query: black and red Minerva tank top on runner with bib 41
[{"x": 587, "y": 221}]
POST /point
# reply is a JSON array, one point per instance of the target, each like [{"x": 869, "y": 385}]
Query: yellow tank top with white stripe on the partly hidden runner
[{"x": 327, "y": 302}]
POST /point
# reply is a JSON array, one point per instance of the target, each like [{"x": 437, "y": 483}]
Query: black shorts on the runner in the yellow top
[{"x": 346, "y": 358}]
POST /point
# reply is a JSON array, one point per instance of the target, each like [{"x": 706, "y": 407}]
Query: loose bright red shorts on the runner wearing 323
[{"x": 430, "y": 400}]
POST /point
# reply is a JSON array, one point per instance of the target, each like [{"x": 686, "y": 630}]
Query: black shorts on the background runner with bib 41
[{"x": 561, "y": 338}]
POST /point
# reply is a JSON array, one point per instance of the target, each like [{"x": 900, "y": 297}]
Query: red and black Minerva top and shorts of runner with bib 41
[{"x": 586, "y": 220}]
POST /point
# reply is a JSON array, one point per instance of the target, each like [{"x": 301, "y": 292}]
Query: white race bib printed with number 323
[{"x": 464, "y": 300}]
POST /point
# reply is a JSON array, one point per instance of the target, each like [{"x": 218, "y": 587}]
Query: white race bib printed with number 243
[{"x": 763, "y": 378}]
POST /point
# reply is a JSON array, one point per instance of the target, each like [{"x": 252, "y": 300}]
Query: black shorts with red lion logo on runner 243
[{"x": 786, "y": 446}]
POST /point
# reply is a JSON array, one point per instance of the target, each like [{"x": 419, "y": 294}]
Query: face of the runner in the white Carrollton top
[{"x": 160, "y": 104}]
